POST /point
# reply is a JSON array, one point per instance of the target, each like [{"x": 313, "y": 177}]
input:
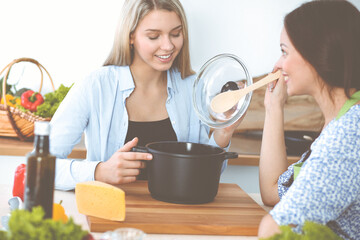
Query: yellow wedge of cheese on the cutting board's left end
[{"x": 101, "y": 200}]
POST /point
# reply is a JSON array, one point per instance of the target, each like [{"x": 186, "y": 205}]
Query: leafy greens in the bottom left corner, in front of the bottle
[{"x": 26, "y": 225}]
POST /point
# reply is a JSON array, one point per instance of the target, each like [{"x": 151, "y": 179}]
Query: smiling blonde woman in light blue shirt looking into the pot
[{"x": 142, "y": 94}]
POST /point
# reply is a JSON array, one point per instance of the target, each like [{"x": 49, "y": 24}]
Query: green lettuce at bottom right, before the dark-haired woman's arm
[{"x": 311, "y": 231}]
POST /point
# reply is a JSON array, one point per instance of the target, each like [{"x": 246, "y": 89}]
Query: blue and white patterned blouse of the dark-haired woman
[{"x": 327, "y": 189}]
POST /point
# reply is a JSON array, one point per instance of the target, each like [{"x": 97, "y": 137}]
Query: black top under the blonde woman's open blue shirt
[{"x": 149, "y": 132}]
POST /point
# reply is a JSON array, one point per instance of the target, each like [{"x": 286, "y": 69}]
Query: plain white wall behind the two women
[{"x": 72, "y": 38}]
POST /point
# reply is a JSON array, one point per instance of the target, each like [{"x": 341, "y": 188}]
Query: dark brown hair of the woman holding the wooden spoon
[{"x": 327, "y": 35}]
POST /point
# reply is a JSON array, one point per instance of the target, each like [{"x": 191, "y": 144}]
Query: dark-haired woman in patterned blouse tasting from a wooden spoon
[{"x": 320, "y": 45}]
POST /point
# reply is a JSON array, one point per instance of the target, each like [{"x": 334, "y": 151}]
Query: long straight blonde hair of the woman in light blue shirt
[{"x": 132, "y": 13}]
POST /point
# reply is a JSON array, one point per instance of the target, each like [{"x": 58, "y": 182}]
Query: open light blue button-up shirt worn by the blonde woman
[{"x": 96, "y": 106}]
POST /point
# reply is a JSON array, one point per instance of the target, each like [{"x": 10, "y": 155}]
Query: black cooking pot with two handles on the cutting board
[{"x": 182, "y": 172}]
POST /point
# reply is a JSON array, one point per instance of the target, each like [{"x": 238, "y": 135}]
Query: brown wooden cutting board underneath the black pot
[{"x": 232, "y": 212}]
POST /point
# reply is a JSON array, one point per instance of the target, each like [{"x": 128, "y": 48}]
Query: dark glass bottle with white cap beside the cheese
[{"x": 40, "y": 172}]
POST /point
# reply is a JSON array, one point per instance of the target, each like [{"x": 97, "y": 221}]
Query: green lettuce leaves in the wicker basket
[{"x": 52, "y": 101}]
